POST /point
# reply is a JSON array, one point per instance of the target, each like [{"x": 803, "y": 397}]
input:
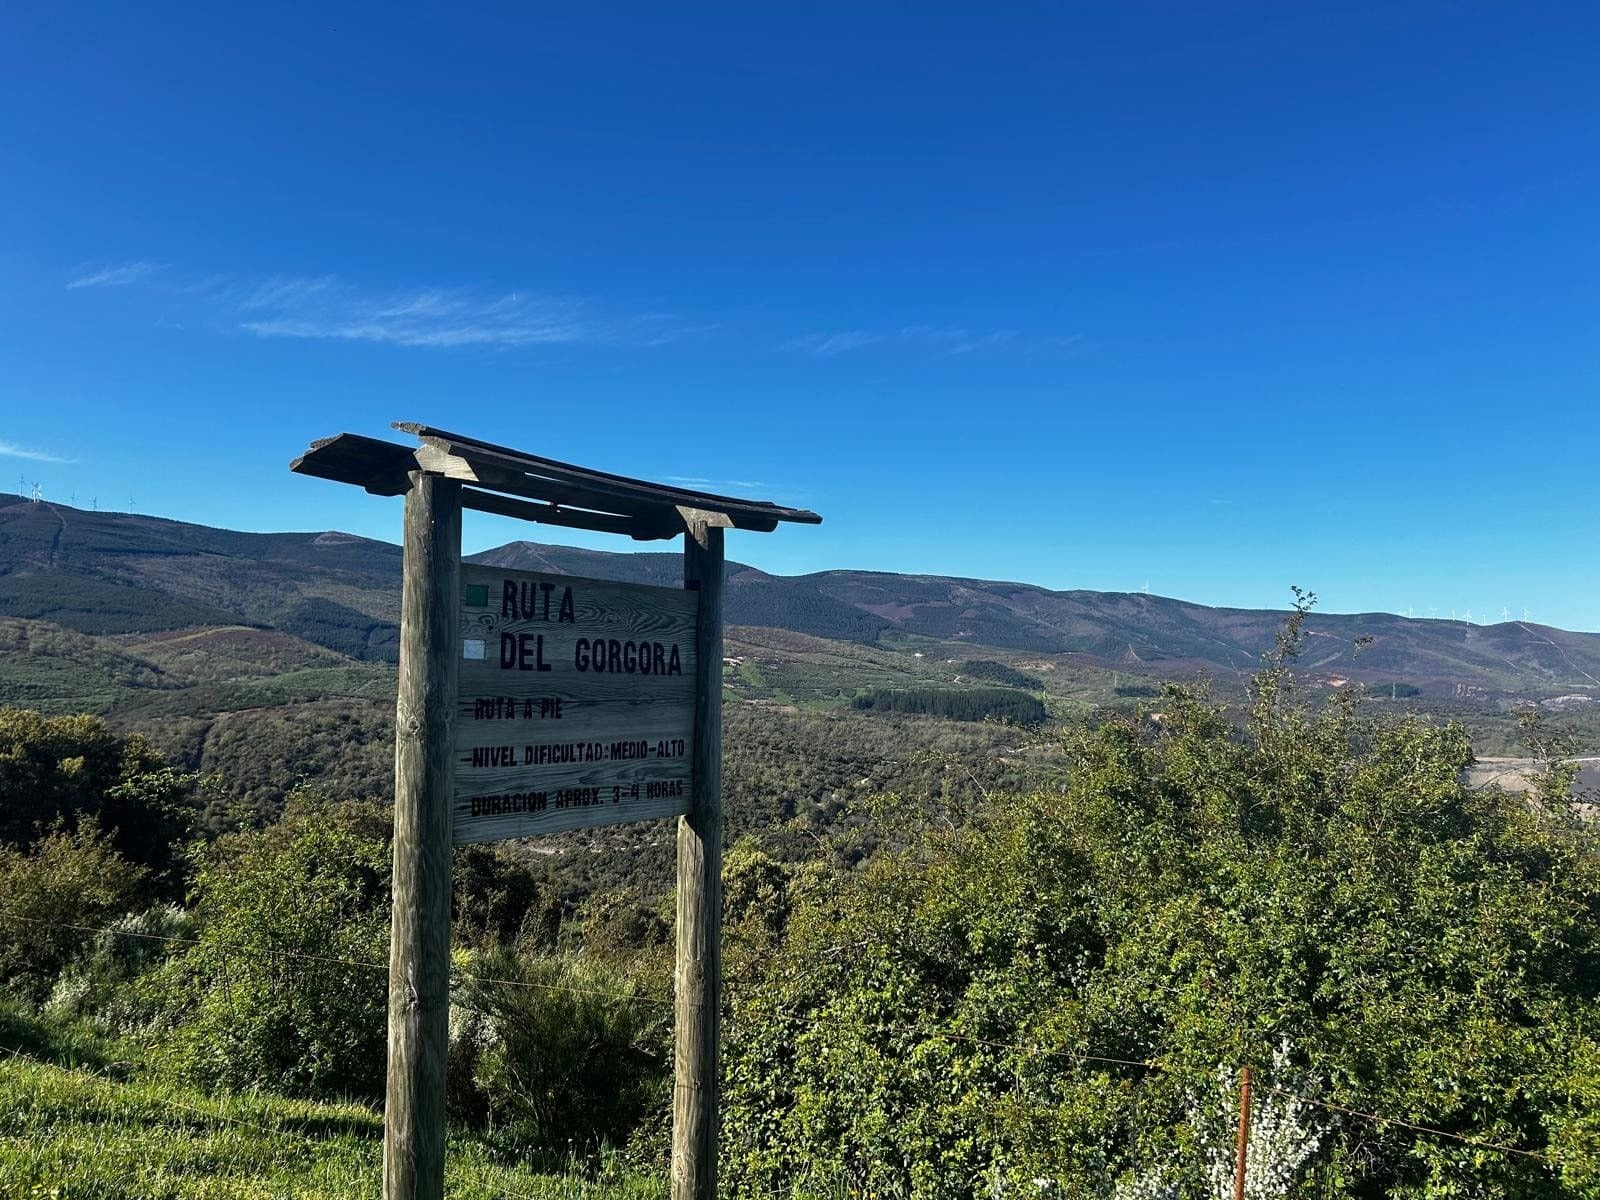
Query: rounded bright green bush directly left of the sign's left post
[{"x": 286, "y": 988}]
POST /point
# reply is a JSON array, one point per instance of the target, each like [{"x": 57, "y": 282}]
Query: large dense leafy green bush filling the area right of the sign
[{"x": 940, "y": 1023}]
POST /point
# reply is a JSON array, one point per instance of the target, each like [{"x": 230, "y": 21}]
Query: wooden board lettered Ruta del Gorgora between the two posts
[{"x": 575, "y": 705}]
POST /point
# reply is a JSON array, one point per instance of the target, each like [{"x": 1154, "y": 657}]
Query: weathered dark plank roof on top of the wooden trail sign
[{"x": 516, "y": 484}]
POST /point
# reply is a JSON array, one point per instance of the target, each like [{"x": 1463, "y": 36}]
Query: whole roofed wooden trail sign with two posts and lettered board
[{"x": 540, "y": 703}]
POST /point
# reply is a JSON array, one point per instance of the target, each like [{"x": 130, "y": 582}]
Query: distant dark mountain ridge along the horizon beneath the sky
[{"x": 121, "y": 574}]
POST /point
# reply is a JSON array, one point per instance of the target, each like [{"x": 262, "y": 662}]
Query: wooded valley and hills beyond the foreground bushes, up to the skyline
[{"x": 266, "y": 663}]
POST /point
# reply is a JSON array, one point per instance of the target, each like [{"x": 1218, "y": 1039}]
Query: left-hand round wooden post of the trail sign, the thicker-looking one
[{"x": 420, "y": 935}]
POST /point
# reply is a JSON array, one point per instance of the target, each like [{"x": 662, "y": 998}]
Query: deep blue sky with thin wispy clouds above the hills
[{"x": 1214, "y": 298}]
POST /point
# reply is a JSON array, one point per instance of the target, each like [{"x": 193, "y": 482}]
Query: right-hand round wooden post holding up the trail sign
[{"x": 698, "y": 977}]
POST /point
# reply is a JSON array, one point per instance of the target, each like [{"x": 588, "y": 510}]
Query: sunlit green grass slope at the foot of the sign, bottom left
[{"x": 74, "y": 1134}]
